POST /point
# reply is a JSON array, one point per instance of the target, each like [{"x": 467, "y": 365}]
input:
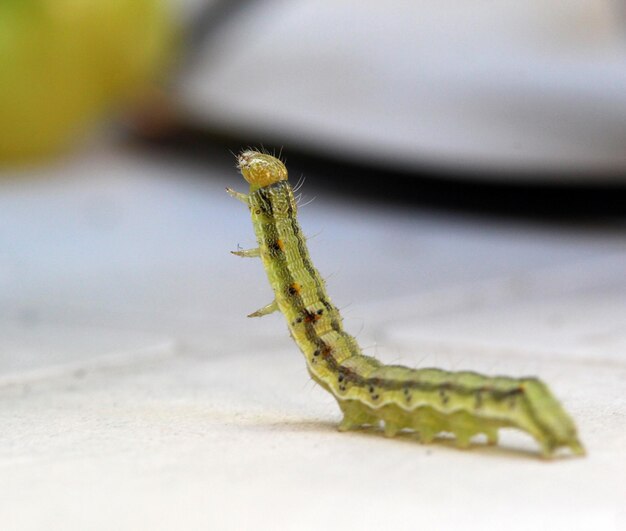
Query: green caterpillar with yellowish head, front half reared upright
[{"x": 425, "y": 401}]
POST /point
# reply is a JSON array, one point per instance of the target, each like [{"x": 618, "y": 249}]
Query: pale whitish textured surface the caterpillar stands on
[{"x": 134, "y": 394}]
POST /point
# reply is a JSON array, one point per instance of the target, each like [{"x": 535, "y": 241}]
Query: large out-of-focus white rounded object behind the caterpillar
[{"x": 471, "y": 84}]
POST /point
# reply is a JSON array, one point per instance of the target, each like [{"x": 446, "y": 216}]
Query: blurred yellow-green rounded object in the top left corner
[{"x": 63, "y": 63}]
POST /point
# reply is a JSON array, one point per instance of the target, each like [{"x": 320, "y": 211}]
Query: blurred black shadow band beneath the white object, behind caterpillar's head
[{"x": 430, "y": 187}]
